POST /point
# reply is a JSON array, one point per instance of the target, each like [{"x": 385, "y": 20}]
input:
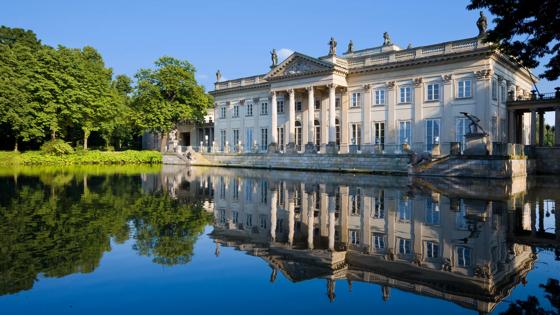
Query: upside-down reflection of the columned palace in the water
[{"x": 436, "y": 238}]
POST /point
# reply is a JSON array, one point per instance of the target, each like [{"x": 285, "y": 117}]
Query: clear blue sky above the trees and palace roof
[{"x": 237, "y": 36}]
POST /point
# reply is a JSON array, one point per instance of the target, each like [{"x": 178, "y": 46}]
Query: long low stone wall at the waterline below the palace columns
[{"x": 357, "y": 163}]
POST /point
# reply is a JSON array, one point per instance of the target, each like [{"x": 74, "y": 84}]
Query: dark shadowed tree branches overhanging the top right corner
[{"x": 526, "y": 29}]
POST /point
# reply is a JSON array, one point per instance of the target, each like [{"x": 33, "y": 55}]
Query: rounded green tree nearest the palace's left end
[{"x": 167, "y": 95}]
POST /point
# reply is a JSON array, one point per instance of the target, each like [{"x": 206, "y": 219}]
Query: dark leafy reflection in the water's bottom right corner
[{"x": 532, "y": 304}]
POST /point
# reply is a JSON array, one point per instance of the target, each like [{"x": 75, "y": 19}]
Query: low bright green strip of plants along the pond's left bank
[{"x": 87, "y": 157}]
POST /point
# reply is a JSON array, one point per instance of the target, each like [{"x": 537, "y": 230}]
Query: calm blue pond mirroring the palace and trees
[{"x": 168, "y": 240}]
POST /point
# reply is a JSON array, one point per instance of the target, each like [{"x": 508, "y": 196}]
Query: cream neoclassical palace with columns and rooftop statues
[{"x": 384, "y": 96}]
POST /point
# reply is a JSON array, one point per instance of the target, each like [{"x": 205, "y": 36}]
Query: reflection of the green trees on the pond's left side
[{"x": 58, "y": 226}]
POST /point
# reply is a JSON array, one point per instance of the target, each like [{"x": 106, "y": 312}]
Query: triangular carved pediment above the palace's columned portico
[{"x": 298, "y": 64}]
